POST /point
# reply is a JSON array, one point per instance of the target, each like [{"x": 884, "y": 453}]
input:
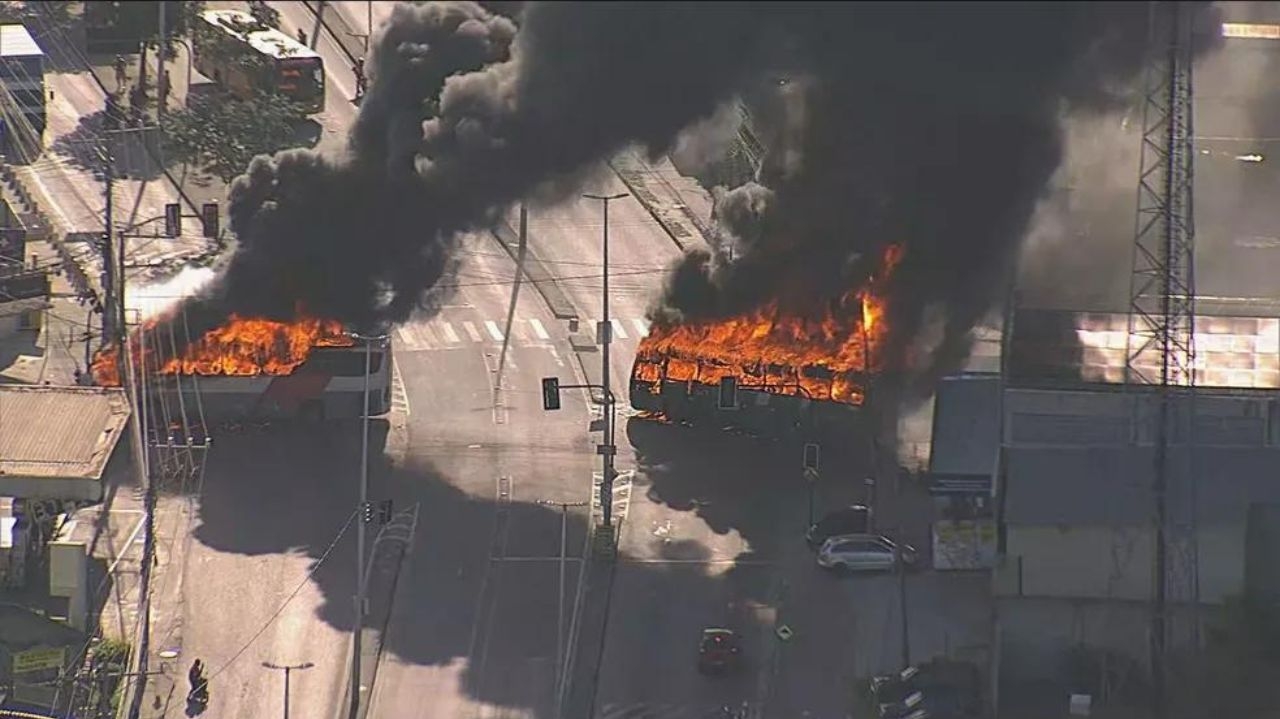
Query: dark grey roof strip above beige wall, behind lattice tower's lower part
[{"x": 1112, "y": 487}]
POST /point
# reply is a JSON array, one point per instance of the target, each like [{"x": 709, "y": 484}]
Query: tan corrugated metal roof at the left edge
[{"x": 60, "y": 432}]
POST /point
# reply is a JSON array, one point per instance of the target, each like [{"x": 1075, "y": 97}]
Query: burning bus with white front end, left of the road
[{"x": 253, "y": 370}]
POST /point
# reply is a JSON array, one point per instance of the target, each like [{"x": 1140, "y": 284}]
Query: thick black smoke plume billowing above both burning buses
[{"x": 930, "y": 125}]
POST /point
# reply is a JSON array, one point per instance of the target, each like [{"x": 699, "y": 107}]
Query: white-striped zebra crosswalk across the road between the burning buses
[{"x": 451, "y": 333}]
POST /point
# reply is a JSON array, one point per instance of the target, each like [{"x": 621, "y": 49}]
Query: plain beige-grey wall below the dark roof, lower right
[{"x": 1073, "y": 562}]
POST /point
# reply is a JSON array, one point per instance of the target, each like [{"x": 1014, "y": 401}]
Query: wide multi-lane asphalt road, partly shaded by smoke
[{"x": 712, "y": 532}]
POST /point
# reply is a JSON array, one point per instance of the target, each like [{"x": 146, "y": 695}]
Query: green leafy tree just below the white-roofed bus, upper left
[{"x": 226, "y": 134}]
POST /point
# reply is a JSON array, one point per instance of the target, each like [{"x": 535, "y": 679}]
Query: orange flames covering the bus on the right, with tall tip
[{"x": 824, "y": 358}]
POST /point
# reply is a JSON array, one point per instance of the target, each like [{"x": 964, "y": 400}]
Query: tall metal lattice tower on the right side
[{"x": 1162, "y": 347}]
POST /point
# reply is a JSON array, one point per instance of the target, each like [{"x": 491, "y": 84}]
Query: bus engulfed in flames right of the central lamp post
[{"x": 793, "y": 374}]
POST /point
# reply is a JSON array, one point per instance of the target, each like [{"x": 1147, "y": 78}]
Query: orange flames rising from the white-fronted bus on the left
[{"x": 243, "y": 347}]
